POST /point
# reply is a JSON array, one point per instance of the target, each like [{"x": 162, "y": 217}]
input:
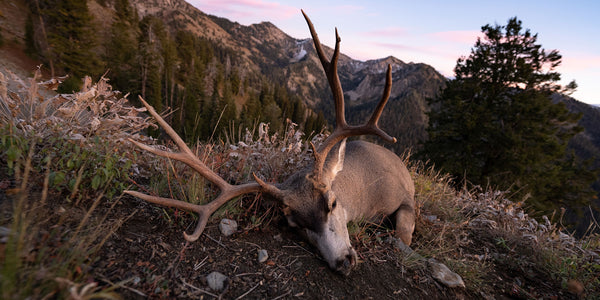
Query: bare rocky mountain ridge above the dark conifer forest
[{"x": 266, "y": 49}]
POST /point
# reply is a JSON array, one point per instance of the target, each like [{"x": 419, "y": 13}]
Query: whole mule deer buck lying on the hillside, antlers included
[{"x": 347, "y": 181}]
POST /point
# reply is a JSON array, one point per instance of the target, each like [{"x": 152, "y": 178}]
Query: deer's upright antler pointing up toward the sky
[{"x": 342, "y": 129}]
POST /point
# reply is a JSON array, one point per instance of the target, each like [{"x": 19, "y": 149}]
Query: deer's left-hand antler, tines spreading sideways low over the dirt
[{"x": 187, "y": 157}]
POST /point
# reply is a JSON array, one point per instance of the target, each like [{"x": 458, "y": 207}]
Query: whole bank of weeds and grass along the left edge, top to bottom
[{"x": 65, "y": 155}]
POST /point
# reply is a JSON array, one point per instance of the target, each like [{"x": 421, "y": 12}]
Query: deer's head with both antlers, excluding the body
[{"x": 308, "y": 200}]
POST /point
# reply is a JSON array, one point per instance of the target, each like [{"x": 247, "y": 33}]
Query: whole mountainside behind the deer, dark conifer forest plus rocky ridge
[{"x": 210, "y": 70}]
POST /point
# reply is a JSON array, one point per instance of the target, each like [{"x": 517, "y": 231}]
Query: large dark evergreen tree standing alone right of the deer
[{"x": 496, "y": 124}]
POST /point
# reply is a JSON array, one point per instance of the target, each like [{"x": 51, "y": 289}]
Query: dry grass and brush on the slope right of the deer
[{"x": 474, "y": 230}]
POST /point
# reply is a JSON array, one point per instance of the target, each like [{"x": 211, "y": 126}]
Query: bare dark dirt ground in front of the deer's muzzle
[{"x": 153, "y": 256}]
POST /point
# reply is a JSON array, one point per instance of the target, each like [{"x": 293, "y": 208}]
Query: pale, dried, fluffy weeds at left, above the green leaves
[{"x": 36, "y": 110}]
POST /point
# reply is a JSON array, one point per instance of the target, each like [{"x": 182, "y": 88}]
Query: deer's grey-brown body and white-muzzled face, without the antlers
[{"x": 372, "y": 182}]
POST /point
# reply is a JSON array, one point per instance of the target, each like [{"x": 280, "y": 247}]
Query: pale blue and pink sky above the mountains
[{"x": 434, "y": 32}]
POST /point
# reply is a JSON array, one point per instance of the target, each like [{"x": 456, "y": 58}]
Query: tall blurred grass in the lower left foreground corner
[{"x": 42, "y": 256}]
